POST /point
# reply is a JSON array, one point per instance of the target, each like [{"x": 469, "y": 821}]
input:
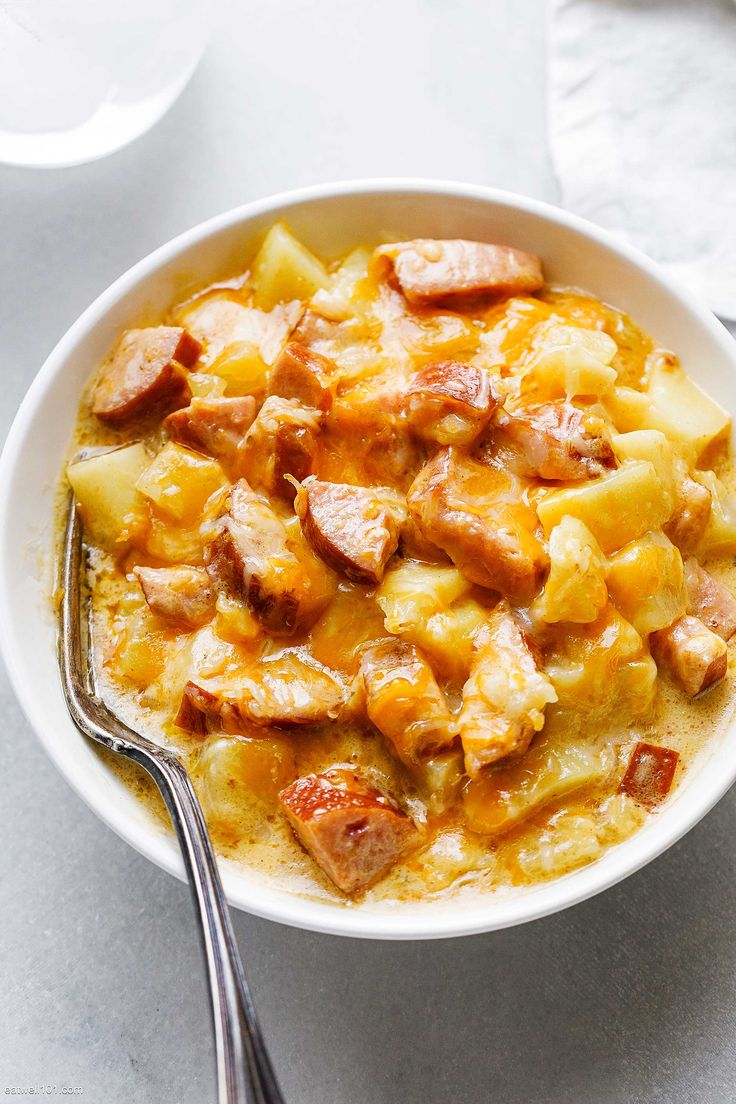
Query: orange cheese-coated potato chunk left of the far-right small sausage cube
[{"x": 602, "y": 671}]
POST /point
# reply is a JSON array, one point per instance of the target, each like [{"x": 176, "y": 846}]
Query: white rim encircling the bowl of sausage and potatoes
[{"x": 444, "y": 920}]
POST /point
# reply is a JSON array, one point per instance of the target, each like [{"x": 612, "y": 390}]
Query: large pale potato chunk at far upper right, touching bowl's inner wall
[{"x": 682, "y": 411}]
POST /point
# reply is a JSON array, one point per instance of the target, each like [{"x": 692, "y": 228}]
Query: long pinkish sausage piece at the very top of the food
[{"x": 428, "y": 270}]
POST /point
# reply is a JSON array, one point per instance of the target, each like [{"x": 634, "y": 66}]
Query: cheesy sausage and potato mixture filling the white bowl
[{"x": 420, "y": 565}]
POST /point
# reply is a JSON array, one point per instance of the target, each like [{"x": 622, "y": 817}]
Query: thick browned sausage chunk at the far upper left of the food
[{"x": 145, "y": 375}]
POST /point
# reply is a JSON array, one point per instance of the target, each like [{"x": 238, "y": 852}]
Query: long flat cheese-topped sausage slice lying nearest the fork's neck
[{"x": 286, "y": 692}]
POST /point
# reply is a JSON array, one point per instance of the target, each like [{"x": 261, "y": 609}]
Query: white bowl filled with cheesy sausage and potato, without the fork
[{"x": 410, "y": 528}]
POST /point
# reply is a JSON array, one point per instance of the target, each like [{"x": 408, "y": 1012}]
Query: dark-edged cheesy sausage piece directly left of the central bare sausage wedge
[{"x": 250, "y": 559}]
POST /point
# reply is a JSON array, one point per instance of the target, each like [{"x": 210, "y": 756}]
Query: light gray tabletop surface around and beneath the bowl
[{"x": 631, "y": 997}]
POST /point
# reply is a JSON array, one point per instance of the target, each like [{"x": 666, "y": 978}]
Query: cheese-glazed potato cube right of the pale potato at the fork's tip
[{"x": 179, "y": 482}]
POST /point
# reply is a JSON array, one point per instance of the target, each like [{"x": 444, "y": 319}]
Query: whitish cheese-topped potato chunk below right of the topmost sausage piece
[{"x": 573, "y": 362}]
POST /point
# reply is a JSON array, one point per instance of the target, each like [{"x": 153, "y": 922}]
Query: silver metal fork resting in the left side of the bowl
[{"x": 244, "y": 1069}]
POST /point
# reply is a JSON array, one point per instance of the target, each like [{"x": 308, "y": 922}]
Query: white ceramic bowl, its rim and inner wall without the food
[{"x": 332, "y": 219}]
